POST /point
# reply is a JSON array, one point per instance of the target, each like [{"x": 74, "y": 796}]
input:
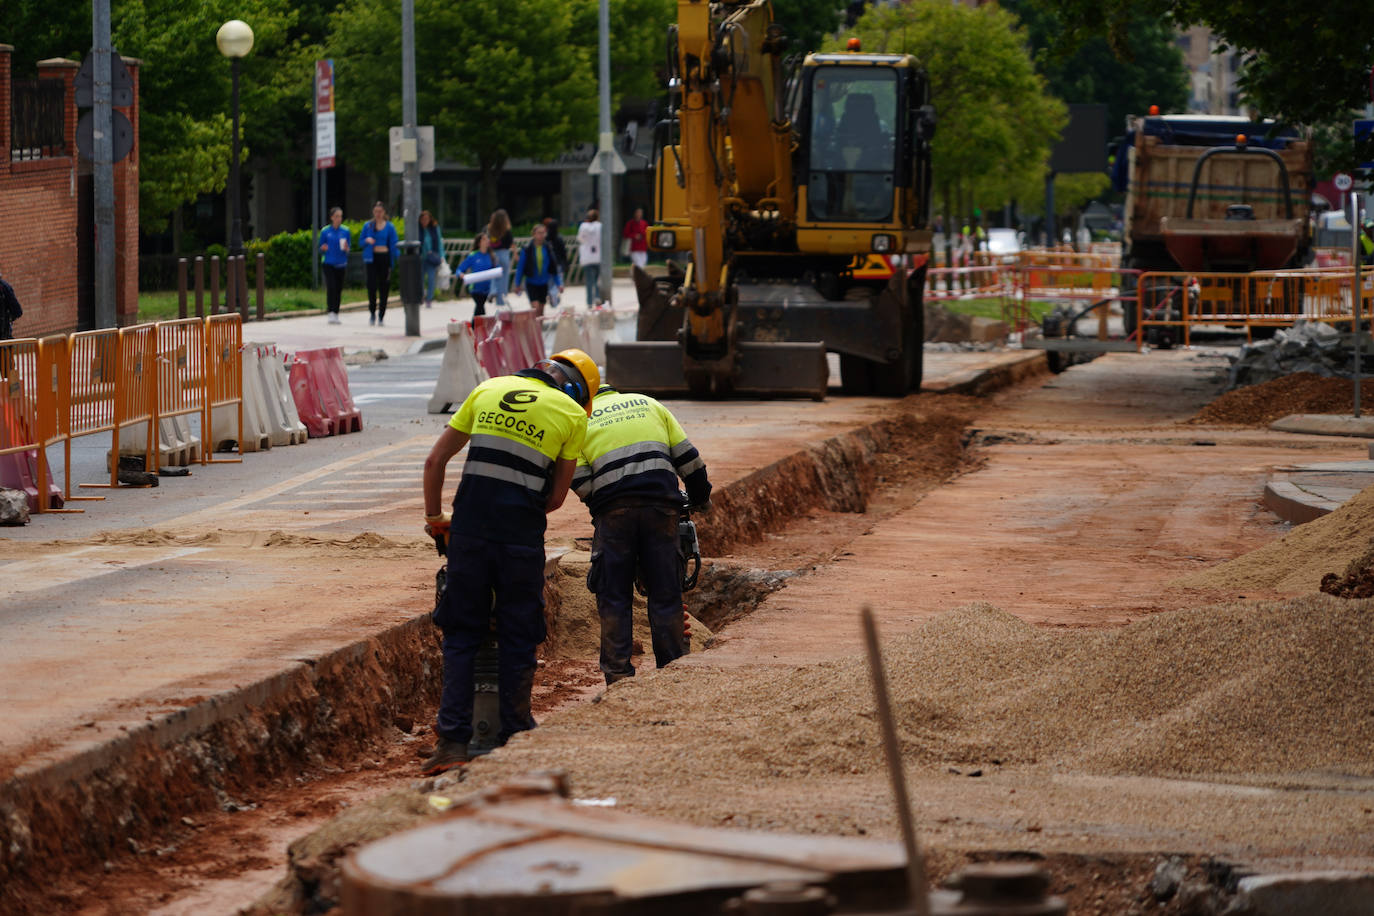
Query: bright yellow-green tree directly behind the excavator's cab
[{"x": 997, "y": 122}]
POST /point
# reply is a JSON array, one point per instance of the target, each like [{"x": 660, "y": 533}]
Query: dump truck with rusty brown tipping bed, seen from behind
[{"x": 1214, "y": 194}]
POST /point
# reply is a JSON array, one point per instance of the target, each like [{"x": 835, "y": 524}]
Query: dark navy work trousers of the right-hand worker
[{"x": 627, "y": 540}]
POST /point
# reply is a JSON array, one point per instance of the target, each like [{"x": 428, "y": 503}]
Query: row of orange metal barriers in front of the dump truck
[{"x": 1265, "y": 299}]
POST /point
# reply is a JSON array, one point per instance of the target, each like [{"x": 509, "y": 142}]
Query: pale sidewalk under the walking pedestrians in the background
[{"x": 355, "y": 334}]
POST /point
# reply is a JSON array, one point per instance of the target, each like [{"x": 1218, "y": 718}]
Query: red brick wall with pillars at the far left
[{"x": 41, "y": 203}]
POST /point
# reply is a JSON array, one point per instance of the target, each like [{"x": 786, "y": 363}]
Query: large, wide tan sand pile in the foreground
[{"x": 1247, "y": 690}]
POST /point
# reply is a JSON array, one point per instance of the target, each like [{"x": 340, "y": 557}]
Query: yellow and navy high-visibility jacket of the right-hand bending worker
[{"x": 634, "y": 454}]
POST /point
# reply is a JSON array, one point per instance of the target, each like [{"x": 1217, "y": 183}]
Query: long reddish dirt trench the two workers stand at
[{"x": 245, "y": 770}]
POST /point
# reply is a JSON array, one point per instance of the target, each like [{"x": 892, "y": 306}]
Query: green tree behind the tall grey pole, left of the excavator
[{"x": 498, "y": 79}]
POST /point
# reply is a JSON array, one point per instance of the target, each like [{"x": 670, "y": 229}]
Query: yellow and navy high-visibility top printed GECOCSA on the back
[{"x": 520, "y": 426}]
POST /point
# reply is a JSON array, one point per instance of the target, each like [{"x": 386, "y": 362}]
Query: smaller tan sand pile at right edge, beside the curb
[{"x": 1298, "y": 561}]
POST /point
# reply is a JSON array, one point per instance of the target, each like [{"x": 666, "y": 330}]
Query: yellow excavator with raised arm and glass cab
[{"x": 798, "y": 196}]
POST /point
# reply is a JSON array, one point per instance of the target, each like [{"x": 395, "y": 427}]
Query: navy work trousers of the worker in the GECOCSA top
[{"x": 488, "y": 580}]
